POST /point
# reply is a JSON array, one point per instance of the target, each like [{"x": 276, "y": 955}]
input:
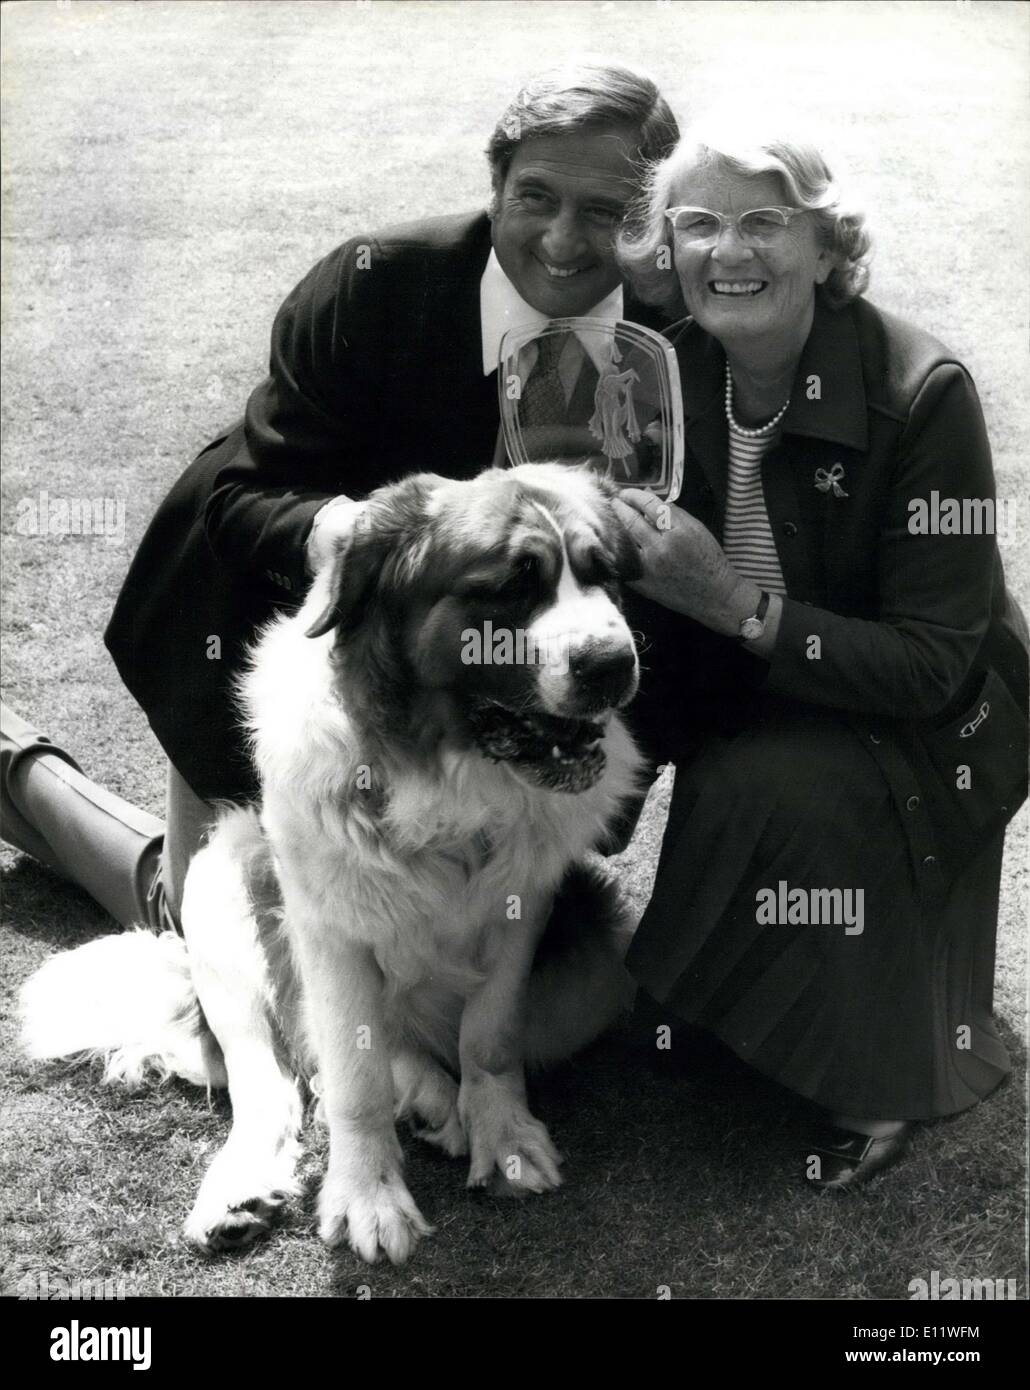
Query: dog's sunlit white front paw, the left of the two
[{"x": 380, "y": 1218}]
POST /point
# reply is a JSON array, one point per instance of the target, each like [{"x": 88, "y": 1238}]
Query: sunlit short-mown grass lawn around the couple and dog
[{"x": 172, "y": 172}]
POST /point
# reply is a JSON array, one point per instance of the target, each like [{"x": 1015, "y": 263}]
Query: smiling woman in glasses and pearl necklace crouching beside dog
[{"x": 840, "y": 683}]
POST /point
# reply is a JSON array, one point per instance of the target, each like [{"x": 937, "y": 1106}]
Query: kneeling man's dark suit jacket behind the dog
[{"x": 376, "y": 372}]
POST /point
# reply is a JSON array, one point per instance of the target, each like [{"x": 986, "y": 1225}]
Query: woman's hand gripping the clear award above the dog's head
[{"x": 685, "y": 566}]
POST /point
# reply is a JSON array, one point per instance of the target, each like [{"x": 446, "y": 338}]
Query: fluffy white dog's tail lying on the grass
[{"x": 129, "y": 1000}]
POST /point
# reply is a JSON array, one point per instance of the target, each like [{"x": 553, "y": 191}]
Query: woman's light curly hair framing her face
[{"x": 646, "y": 250}]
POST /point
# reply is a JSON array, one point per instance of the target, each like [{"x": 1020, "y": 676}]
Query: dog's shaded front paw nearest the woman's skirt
[{"x": 511, "y": 1150}]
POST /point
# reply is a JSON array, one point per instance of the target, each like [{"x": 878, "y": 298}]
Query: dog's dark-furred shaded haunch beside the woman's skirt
[{"x": 579, "y": 986}]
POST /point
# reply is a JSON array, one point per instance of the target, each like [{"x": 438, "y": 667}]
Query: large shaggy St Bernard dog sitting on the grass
[{"x": 439, "y": 747}]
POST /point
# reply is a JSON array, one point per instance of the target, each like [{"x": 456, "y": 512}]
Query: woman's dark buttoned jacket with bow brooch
[{"x": 911, "y": 637}]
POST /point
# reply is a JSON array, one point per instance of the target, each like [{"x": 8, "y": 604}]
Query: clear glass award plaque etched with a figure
[{"x": 590, "y": 391}]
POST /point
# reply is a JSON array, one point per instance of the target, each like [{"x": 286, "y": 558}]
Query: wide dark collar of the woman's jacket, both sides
[{"x": 829, "y": 397}]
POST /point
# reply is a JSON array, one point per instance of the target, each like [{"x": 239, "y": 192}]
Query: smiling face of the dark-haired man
[{"x": 557, "y": 216}]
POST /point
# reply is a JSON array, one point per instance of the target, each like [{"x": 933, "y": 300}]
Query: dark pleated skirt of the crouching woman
[{"x": 894, "y": 1022}]
